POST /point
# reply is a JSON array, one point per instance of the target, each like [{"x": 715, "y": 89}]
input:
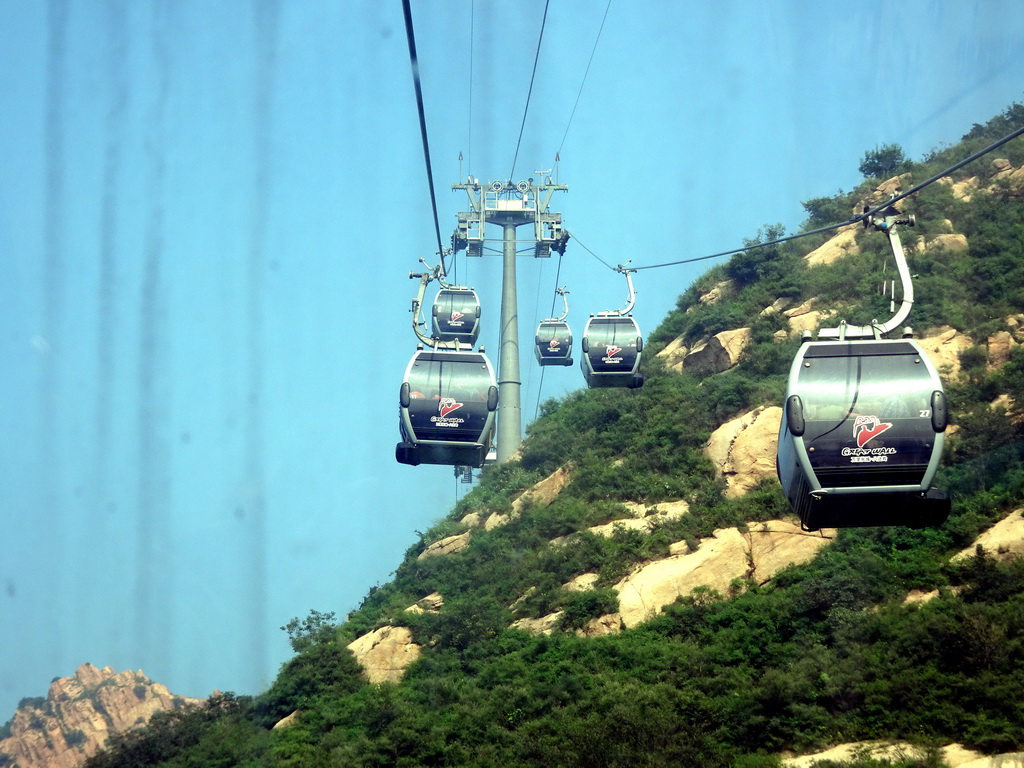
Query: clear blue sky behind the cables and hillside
[{"x": 208, "y": 212}]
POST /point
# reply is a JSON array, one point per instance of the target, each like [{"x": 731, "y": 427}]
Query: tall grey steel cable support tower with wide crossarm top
[{"x": 510, "y": 205}]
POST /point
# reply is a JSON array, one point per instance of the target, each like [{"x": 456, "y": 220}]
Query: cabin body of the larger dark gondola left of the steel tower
[{"x": 447, "y": 409}]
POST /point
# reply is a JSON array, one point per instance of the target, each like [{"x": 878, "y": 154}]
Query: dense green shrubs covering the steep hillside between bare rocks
[{"x": 827, "y": 653}]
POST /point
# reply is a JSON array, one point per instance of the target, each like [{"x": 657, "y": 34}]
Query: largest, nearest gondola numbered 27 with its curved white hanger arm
[{"x": 864, "y": 425}]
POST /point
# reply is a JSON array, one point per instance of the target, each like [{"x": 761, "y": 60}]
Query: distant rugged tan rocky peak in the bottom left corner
[{"x": 79, "y": 714}]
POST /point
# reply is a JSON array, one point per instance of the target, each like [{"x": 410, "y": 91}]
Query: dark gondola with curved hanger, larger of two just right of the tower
[{"x": 612, "y": 348}]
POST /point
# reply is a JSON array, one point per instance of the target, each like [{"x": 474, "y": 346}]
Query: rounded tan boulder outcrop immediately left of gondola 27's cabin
[{"x": 744, "y": 450}]
